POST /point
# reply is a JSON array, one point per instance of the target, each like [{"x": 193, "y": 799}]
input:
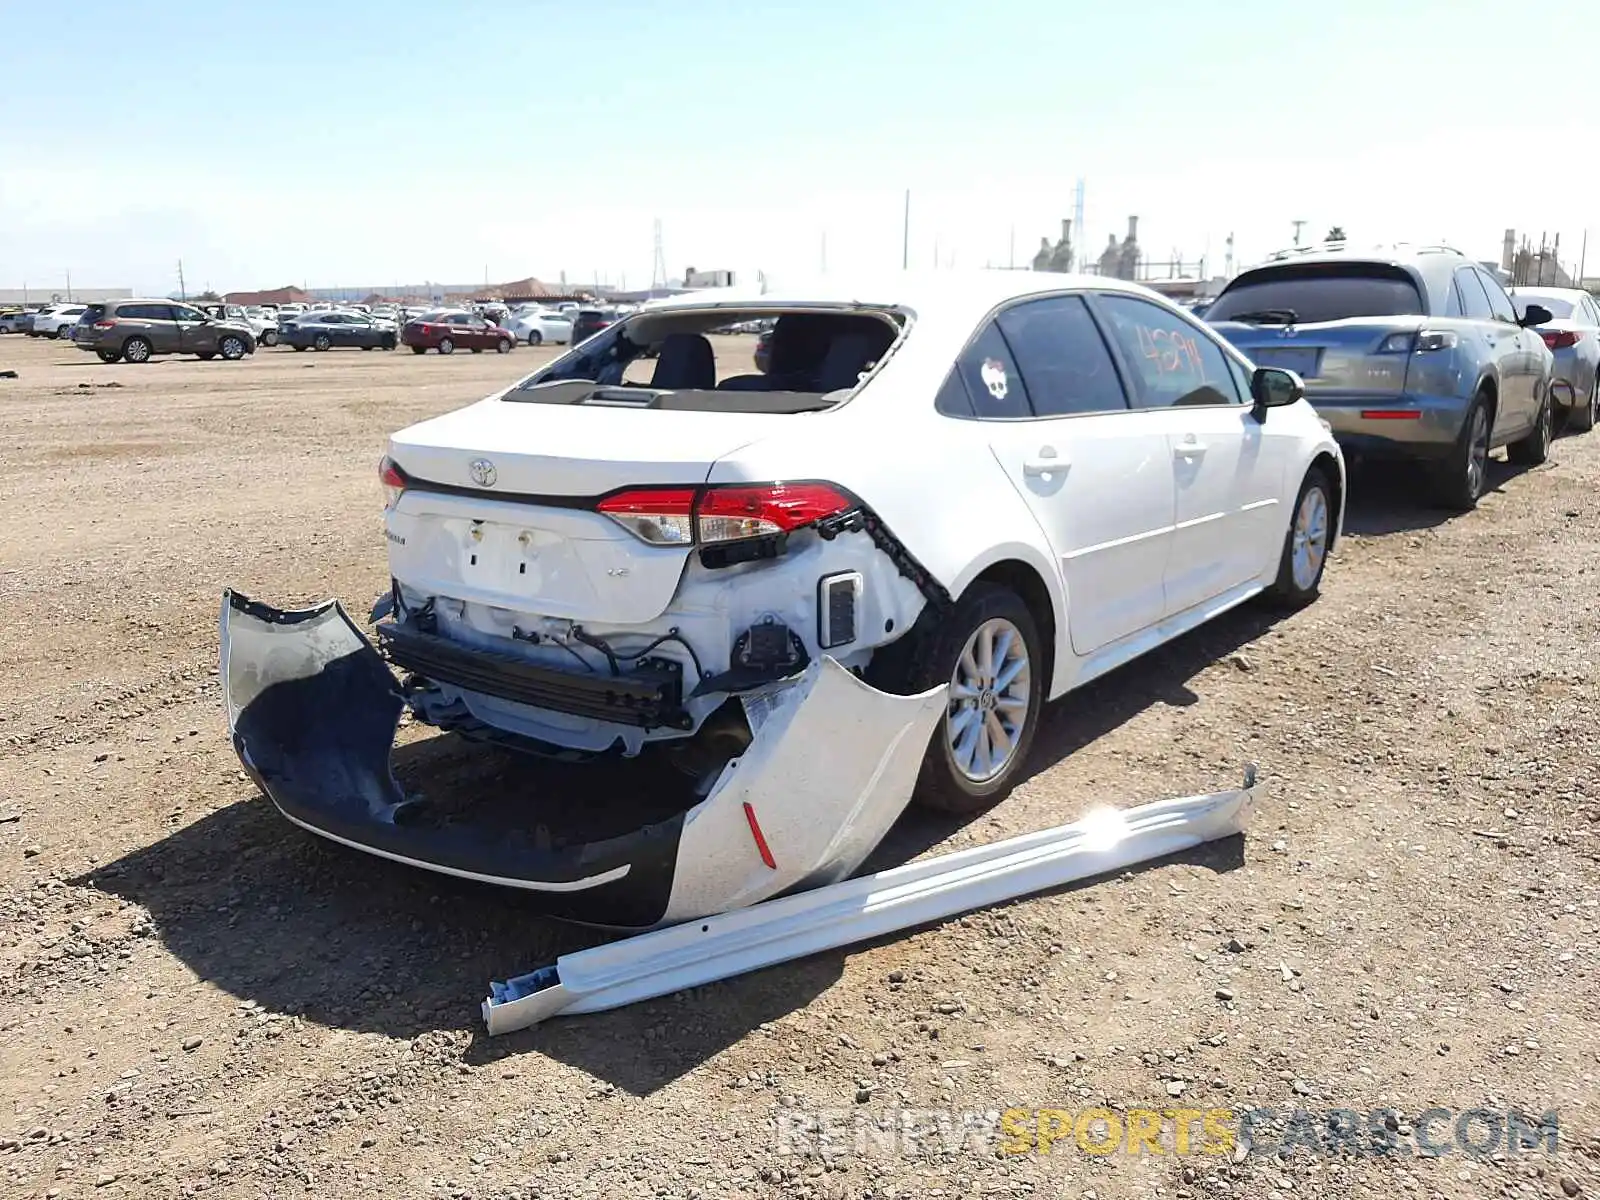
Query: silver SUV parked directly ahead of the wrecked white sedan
[{"x": 1412, "y": 353}]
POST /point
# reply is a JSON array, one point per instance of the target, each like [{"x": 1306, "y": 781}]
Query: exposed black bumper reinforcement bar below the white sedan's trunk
[{"x": 649, "y": 695}]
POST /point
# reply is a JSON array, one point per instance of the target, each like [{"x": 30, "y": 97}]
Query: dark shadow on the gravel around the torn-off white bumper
[{"x": 300, "y": 926}]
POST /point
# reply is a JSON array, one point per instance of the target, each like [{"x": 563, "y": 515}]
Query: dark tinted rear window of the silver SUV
[{"x": 1298, "y": 294}]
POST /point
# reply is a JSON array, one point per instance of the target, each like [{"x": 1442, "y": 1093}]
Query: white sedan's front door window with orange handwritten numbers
[{"x": 1174, "y": 362}]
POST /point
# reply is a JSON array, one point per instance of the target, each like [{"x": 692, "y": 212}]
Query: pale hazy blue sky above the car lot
[{"x": 372, "y": 143}]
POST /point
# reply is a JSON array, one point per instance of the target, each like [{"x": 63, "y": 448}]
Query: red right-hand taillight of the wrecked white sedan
[{"x": 722, "y": 514}]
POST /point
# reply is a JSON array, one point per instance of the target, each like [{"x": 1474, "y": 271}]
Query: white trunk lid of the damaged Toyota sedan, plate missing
[{"x": 530, "y": 542}]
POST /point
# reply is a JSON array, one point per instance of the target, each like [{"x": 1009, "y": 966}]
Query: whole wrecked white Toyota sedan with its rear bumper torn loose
[{"x": 946, "y": 502}]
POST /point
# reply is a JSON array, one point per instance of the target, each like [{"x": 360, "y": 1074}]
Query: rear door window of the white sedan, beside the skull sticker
[{"x": 1063, "y": 358}]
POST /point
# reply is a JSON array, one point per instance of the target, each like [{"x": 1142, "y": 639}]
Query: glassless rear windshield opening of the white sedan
[{"x": 694, "y": 361}]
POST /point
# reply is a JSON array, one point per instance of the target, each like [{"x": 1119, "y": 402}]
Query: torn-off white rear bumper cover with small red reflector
[{"x": 314, "y": 708}]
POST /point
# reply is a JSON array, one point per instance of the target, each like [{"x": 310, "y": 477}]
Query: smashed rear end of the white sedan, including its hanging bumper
[{"x": 582, "y": 569}]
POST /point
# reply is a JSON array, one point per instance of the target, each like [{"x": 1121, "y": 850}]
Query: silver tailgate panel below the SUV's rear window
[{"x": 1342, "y": 358}]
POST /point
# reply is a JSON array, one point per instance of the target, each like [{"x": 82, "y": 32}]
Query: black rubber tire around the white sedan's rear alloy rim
[{"x": 934, "y": 655}]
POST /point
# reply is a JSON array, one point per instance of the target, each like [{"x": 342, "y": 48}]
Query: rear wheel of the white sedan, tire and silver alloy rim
[{"x": 990, "y": 654}]
